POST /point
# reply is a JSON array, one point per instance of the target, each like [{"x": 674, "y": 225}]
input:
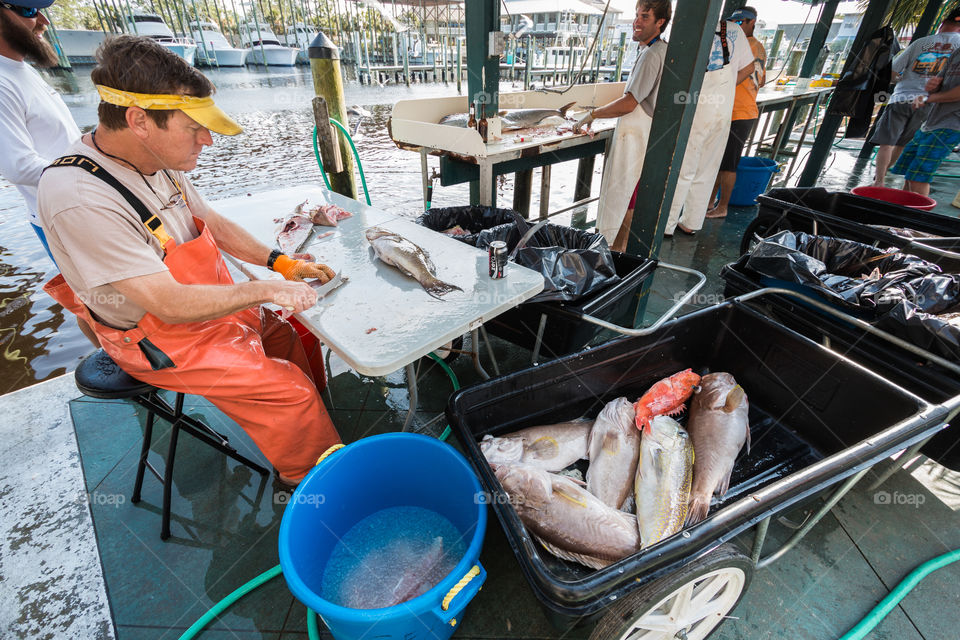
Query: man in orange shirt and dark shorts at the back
[{"x": 745, "y": 113}]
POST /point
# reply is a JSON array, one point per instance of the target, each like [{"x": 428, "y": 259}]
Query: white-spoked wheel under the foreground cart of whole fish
[{"x": 687, "y": 605}]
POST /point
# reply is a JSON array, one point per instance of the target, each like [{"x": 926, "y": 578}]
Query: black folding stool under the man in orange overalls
[{"x": 98, "y": 376}]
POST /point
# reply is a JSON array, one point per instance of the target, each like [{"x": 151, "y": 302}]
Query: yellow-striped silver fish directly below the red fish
[{"x": 664, "y": 474}]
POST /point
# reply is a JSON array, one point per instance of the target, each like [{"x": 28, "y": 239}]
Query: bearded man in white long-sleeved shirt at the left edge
[{"x": 35, "y": 124}]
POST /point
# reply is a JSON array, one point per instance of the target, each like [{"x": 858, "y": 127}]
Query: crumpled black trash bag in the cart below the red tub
[{"x": 850, "y": 272}]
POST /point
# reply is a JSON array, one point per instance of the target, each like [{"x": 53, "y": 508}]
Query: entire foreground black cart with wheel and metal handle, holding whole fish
[{"x": 819, "y": 422}]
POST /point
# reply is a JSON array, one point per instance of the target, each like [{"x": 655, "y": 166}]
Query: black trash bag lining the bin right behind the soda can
[{"x": 574, "y": 263}]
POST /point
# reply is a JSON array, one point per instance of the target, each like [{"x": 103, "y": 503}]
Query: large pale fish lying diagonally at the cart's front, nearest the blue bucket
[{"x": 569, "y": 521}]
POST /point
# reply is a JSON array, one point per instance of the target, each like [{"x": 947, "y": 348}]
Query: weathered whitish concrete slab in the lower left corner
[{"x": 51, "y": 582}]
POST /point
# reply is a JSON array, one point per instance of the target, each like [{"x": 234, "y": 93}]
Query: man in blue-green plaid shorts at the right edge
[{"x": 940, "y": 134}]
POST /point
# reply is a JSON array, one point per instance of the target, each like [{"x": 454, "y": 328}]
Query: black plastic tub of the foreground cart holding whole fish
[{"x": 848, "y": 419}]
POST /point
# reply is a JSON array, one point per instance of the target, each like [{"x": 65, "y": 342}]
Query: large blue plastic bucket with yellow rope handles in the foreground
[{"x": 376, "y": 473}]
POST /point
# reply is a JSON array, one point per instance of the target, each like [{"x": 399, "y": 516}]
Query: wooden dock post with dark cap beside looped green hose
[{"x": 328, "y": 84}]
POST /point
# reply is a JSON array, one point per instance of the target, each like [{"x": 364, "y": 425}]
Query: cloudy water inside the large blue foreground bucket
[{"x": 391, "y": 556}]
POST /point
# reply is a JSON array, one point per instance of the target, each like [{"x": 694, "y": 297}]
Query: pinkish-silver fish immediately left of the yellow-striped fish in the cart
[{"x": 614, "y": 452}]
